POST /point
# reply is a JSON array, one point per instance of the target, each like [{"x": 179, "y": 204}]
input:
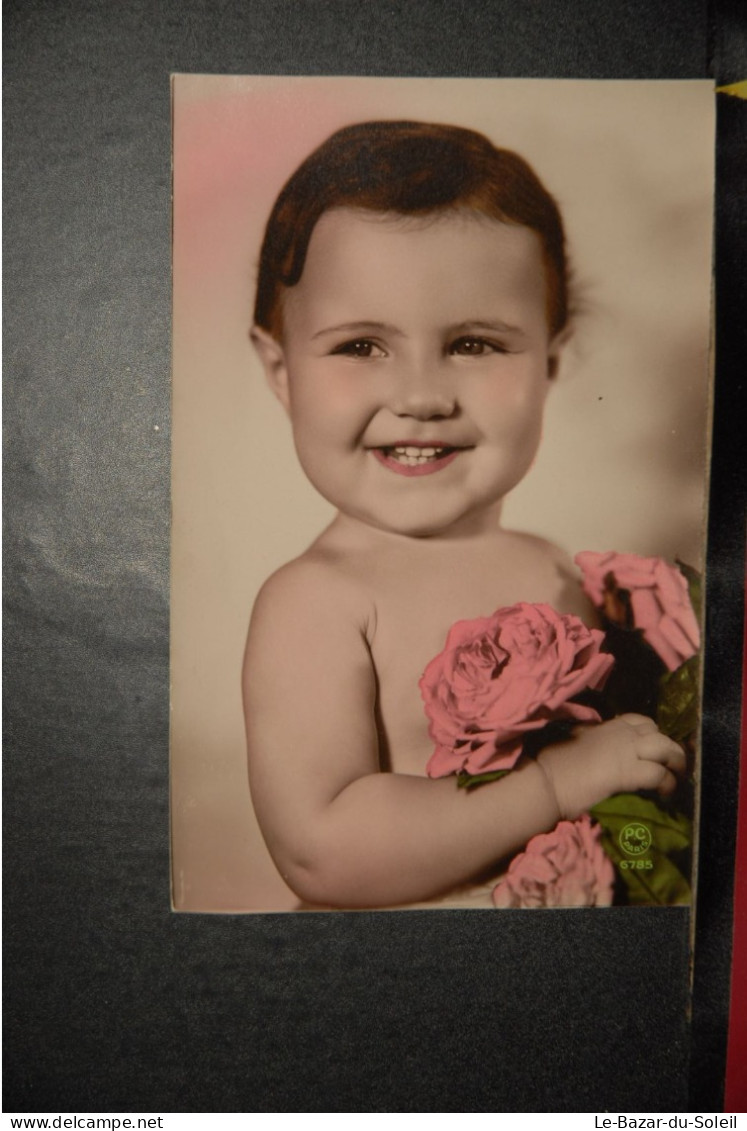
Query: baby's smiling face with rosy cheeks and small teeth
[{"x": 415, "y": 367}]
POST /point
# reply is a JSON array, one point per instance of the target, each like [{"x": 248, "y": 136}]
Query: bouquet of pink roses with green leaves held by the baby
[{"x": 508, "y": 685}]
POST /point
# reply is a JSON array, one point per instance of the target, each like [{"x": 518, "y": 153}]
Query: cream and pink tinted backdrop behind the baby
[{"x": 624, "y": 457}]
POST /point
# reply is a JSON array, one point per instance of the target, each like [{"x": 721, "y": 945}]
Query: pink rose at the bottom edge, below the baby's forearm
[{"x": 566, "y": 868}]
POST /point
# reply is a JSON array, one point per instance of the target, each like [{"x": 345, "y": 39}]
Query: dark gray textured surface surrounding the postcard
[{"x": 114, "y": 1004}]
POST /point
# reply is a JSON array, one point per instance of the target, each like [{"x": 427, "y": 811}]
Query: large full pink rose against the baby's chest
[{"x": 501, "y": 677}]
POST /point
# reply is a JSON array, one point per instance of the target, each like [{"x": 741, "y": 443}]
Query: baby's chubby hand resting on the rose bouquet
[{"x": 623, "y": 756}]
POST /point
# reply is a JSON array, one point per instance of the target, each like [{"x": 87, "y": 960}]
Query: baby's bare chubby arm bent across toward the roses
[{"x": 341, "y": 832}]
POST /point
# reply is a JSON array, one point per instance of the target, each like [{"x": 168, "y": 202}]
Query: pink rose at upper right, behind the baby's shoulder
[{"x": 660, "y": 602}]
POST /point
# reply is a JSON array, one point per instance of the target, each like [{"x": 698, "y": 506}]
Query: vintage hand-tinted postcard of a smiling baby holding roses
[{"x": 441, "y": 435}]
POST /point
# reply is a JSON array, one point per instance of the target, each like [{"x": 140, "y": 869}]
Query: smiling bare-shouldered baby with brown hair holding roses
[{"x": 413, "y": 307}]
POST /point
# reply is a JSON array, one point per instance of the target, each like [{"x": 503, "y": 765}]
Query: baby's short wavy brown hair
[{"x": 408, "y": 169}]
